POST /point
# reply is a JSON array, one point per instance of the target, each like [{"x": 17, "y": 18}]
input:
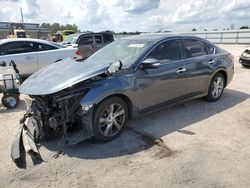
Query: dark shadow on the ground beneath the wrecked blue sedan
[{"x": 146, "y": 131}]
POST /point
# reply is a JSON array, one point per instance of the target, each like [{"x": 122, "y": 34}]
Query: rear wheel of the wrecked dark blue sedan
[{"x": 211, "y": 97}]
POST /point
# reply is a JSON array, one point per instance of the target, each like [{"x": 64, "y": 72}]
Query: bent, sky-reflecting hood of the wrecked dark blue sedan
[{"x": 59, "y": 76}]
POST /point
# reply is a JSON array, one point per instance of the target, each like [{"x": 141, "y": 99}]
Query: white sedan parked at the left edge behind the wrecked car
[{"x": 31, "y": 55}]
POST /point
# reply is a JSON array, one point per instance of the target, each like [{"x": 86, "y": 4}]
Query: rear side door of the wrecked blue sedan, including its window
[{"x": 198, "y": 66}]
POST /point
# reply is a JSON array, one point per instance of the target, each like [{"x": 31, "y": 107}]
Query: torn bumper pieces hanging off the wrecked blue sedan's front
[{"x": 30, "y": 131}]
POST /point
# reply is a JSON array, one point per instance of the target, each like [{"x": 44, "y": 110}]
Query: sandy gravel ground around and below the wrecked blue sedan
[{"x": 196, "y": 144}]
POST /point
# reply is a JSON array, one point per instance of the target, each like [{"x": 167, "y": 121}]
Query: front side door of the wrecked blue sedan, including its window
[{"x": 165, "y": 84}]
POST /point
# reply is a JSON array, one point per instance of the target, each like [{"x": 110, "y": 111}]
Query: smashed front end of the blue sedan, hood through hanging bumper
[{"x": 56, "y": 109}]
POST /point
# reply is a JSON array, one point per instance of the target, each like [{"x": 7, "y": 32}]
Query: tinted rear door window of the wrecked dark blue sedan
[{"x": 194, "y": 48}]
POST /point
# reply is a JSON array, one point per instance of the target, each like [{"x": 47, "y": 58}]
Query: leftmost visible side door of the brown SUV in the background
[{"x": 86, "y": 45}]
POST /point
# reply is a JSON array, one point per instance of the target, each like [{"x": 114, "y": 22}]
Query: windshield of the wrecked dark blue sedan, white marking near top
[{"x": 125, "y": 50}]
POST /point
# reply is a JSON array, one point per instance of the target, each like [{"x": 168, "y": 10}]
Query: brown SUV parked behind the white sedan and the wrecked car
[{"x": 89, "y": 43}]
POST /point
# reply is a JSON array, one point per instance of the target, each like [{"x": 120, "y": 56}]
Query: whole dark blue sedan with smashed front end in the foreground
[{"x": 127, "y": 78}]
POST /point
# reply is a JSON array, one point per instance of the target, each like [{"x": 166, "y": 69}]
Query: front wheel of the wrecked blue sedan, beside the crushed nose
[{"x": 102, "y": 111}]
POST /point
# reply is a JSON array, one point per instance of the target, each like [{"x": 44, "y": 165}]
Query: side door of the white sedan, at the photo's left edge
[{"x": 23, "y": 53}]
